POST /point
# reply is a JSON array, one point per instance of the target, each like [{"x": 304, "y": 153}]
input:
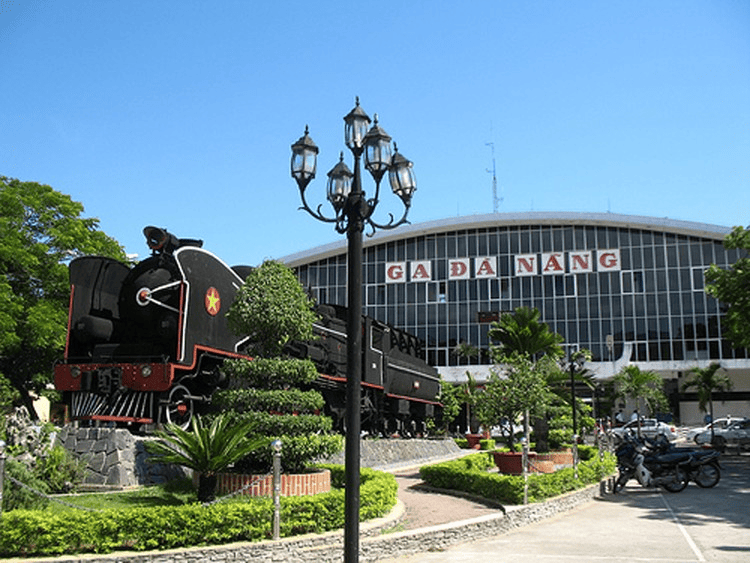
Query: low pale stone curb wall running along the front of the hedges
[{"x": 375, "y": 543}]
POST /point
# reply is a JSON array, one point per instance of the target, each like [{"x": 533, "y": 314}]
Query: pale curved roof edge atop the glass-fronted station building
[{"x": 490, "y": 220}]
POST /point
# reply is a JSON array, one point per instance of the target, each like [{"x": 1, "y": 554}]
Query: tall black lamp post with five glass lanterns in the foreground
[{"x": 352, "y": 211}]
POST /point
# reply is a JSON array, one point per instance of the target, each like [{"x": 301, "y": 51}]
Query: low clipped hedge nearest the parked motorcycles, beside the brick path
[{"x": 471, "y": 474}]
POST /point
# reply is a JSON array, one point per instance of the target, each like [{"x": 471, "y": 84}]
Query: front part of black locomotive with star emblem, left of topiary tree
[{"x": 145, "y": 344}]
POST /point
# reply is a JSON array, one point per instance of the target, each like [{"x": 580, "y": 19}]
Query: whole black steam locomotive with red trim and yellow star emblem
[{"x": 146, "y": 344}]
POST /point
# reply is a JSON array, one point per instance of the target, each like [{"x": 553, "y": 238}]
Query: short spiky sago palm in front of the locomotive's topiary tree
[{"x": 205, "y": 449}]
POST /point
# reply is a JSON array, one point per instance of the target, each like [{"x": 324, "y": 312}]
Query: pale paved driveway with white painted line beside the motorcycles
[{"x": 638, "y": 525}]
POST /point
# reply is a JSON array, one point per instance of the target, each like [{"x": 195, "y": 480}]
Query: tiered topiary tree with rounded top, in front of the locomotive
[{"x": 273, "y": 391}]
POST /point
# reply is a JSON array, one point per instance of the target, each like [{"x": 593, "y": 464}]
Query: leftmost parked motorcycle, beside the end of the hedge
[{"x": 652, "y": 469}]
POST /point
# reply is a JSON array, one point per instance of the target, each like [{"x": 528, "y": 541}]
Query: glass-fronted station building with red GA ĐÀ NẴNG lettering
[{"x": 628, "y": 288}]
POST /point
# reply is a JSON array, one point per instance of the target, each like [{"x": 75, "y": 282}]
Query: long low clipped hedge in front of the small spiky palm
[{"x": 34, "y": 533}]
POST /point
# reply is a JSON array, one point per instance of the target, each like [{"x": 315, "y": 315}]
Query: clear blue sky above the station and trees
[{"x": 181, "y": 114}]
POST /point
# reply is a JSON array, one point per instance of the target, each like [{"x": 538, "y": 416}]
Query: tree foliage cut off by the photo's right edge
[{"x": 732, "y": 287}]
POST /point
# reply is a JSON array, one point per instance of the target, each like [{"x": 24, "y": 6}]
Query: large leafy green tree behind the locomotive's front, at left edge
[{"x": 41, "y": 230}]
